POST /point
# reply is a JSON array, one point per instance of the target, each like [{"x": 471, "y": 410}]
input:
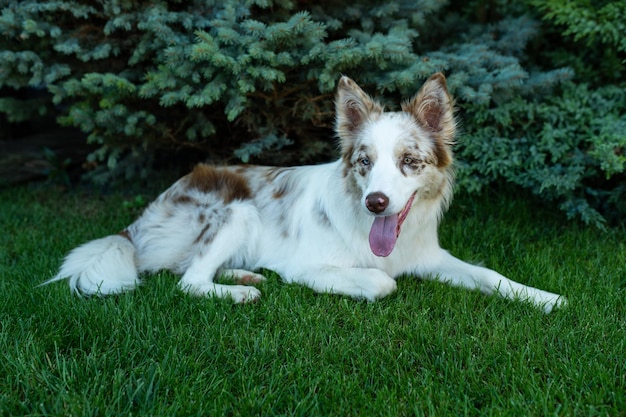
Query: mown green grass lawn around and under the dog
[{"x": 429, "y": 349}]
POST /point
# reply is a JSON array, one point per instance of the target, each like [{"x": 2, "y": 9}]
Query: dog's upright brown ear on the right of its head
[{"x": 433, "y": 109}]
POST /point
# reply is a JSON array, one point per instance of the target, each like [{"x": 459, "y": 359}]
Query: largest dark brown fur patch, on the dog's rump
[{"x": 229, "y": 185}]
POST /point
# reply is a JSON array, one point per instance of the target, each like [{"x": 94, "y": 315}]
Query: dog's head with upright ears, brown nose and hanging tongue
[{"x": 395, "y": 159}]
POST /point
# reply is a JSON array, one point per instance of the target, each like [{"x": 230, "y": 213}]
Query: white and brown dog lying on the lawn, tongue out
[{"x": 347, "y": 227}]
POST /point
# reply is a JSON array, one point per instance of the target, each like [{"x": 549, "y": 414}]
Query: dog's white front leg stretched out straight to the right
[{"x": 453, "y": 271}]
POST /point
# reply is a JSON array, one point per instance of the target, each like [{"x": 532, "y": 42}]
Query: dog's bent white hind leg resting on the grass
[{"x": 232, "y": 238}]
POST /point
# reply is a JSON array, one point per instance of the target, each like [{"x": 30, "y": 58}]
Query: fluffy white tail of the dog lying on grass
[{"x": 103, "y": 266}]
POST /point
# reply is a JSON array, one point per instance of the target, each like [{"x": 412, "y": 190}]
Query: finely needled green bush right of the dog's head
[{"x": 568, "y": 148}]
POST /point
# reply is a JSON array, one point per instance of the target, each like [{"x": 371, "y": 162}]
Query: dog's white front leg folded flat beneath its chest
[{"x": 368, "y": 283}]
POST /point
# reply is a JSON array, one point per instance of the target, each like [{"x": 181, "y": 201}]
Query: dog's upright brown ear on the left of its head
[{"x": 353, "y": 106}]
